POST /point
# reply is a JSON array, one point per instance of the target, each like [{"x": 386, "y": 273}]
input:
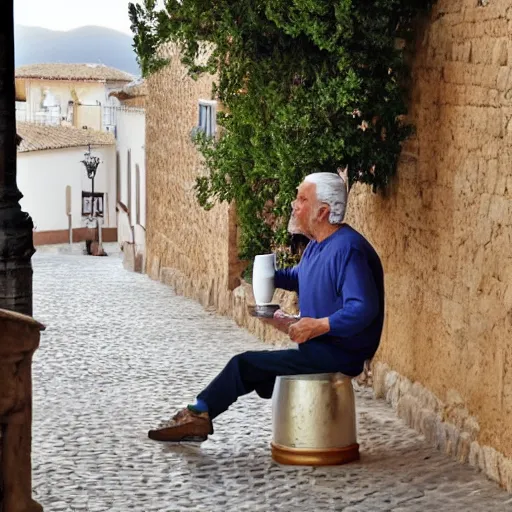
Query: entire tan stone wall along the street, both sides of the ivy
[{"x": 443, "y": 230}]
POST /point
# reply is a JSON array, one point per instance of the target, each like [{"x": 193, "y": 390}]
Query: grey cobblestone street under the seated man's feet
[{"x": 122, "y": 352}]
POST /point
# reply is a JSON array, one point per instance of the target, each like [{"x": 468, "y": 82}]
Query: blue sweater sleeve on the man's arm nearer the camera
[{"x": 360, "y": 298}]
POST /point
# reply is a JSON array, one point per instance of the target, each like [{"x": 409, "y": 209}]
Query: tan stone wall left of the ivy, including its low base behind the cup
[{"x": 193, "y": 250}]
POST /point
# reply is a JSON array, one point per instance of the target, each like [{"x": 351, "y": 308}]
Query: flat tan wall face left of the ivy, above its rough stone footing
[{"x": 180, "y": 234}]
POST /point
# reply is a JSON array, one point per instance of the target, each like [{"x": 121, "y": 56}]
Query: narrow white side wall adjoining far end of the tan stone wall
[{"x": 131, "y": 135}]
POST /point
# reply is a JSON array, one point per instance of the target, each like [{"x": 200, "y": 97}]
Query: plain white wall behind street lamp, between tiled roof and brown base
[{"x": 44, "y": 175}]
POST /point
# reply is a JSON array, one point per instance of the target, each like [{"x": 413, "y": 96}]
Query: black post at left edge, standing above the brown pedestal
[{"x": 16, "y": 243}]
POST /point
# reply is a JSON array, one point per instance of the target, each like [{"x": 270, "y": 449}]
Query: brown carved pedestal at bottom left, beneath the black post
[{"x": 19, "y": 338}]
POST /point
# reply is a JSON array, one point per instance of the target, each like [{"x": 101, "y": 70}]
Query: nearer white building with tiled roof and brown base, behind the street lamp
[{"x": 49, "y": 161}]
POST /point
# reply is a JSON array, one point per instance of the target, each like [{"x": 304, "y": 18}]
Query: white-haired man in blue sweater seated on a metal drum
[{"x": 341, "y": 297}]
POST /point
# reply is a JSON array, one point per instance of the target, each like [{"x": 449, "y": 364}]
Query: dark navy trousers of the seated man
[{"x": 257, "y": 371}]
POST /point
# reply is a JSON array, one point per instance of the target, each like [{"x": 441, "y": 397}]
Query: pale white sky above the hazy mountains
[{"x": 70, "y": 14}]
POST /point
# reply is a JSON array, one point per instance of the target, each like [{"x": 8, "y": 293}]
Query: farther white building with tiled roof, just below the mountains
[{"x": 70, "y": 94}]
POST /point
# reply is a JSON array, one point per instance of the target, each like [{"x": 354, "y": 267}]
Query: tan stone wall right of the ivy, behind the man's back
[{"x": 444, "y": 230}]
